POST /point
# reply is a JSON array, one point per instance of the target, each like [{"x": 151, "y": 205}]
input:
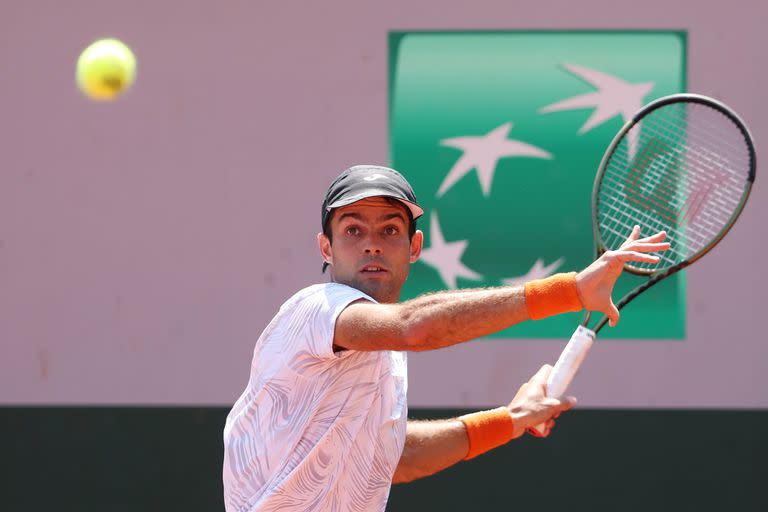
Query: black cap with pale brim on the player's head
[{"x": 363, "y": 181}]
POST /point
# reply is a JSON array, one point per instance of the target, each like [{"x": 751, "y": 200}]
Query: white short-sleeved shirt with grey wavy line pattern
[{"x": 315, "y": 430}]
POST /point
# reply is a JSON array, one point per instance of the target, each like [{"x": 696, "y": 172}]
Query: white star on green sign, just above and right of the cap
[{"x": 483, "y": 153}]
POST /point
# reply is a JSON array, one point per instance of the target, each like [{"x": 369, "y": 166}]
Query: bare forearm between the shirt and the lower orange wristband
[{"x": 431, "y": 446}]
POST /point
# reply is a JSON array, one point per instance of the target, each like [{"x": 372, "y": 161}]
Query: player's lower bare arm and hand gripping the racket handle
[{"x": 431, "y": 446}]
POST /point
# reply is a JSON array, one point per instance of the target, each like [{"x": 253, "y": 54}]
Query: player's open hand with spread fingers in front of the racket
[{"x": 595, "y": 283}]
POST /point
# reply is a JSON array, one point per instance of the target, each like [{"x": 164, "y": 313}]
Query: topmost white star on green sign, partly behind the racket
[{"x": 613, "y": 97}]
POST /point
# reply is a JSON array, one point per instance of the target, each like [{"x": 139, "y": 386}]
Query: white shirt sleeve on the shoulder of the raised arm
[{"x": 321, "y": 309}]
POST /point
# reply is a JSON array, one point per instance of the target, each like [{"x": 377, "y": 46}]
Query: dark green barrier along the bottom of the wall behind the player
[{"x": 169, "y": 459}]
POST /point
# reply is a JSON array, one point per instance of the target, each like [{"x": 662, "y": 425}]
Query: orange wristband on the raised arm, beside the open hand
[{"x": 551, "y": 296}]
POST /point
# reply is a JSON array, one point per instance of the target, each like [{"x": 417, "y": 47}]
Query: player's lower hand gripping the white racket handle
[{"x": 532, "y": 407}]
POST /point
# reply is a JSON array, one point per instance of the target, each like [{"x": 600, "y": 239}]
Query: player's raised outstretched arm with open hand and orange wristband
[{"x": 442, "y": 319}]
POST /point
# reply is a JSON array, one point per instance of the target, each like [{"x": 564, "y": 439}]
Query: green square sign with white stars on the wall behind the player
[{"x": 501, "y": 134}]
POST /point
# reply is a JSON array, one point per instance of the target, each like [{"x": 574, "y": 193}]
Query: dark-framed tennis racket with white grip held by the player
[{"x": 683, "y": 164}]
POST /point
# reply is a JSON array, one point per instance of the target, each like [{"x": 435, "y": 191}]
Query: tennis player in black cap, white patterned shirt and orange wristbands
[{"x": 322, "y": 424}]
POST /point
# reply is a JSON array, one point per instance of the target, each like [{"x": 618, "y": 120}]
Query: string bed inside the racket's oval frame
[{"x": 683, "y": 169}]
